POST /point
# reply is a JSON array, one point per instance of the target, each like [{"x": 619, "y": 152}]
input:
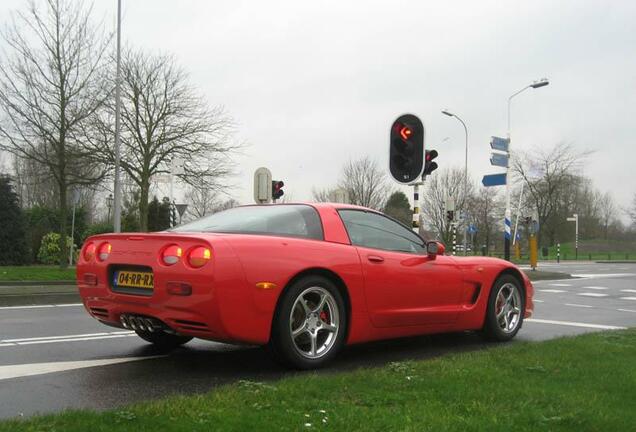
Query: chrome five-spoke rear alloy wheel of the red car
[{"x": 314, "y": 322}]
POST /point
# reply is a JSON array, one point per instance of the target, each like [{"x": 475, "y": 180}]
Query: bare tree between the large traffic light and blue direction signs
[{"x": 446, "y": 183}]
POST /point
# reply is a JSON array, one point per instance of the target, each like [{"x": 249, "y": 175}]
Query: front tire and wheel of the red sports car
[{"x": 506, "y": 307}]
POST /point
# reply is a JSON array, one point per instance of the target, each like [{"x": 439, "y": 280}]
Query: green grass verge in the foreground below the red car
[{"x": 585, "y": 383}]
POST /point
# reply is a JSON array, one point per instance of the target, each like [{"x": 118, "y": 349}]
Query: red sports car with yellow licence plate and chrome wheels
[{"x": 304, "y": 279}]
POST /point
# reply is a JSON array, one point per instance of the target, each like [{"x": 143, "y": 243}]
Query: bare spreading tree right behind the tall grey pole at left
[{"x": 163, "y": 118}]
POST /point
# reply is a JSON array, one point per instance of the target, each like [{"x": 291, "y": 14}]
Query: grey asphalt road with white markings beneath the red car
[{"x": 54, "y": 357}]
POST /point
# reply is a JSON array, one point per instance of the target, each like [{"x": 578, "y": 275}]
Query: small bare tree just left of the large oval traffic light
[{"x": 366, "y": 183}]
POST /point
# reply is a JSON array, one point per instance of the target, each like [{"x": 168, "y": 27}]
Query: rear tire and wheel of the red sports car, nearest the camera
[{"x": 310, "y": 324}]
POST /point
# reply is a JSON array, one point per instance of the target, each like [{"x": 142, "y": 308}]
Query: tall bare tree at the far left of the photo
[{"x": 49, "y": 87}]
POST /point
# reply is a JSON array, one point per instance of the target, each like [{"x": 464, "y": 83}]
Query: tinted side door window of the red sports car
[{"x": 376, "y": 231}]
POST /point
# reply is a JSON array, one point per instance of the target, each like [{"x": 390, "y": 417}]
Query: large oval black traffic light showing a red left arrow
[{"x": 406, "y": 149}]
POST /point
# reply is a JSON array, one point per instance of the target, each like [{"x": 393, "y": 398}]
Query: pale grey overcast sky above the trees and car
[{"x": 313, "y": 84}]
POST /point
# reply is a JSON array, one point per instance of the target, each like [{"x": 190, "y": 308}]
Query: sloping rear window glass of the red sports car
[{"x": 285, "y": 220}]
